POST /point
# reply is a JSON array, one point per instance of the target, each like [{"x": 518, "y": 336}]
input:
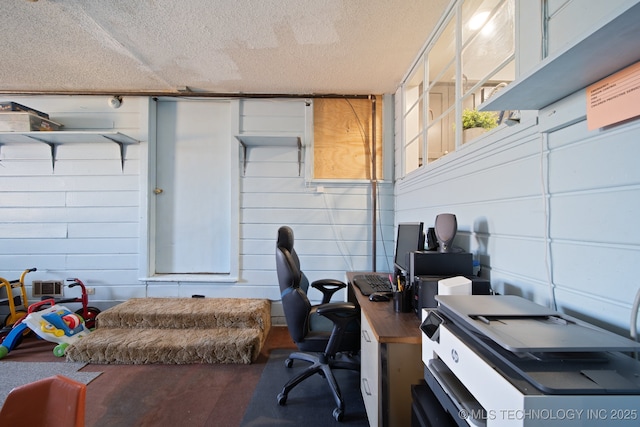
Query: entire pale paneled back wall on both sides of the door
[{"x": 87, "y": 217}]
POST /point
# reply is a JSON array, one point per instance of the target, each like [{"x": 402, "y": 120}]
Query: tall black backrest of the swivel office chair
[{"x": 293, "y": 284}]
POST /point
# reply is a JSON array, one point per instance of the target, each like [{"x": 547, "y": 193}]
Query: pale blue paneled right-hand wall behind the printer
[{"x": 548, "y": 207}]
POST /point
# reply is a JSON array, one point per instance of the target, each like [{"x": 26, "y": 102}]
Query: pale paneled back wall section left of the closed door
[{"x": 80, "y": 216}]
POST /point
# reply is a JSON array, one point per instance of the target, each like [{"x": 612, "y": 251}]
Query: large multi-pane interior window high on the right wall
[{"x": 470, "y": 58}]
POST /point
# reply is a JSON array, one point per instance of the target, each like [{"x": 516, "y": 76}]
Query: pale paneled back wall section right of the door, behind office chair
[{"x": 331, "y": 220}]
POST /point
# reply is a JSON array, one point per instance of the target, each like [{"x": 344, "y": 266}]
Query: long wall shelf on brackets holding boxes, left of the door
[{"x": 53, "y": 139}]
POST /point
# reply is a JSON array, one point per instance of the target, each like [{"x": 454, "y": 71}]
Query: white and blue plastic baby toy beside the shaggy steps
[{"x": 56, "y": 324}]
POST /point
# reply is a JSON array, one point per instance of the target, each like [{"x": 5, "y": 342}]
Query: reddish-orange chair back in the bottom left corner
[{"x": 55, "y": 401}]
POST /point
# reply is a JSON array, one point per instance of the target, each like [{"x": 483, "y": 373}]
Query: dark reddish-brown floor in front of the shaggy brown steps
[{"x": 166, "y": 395}]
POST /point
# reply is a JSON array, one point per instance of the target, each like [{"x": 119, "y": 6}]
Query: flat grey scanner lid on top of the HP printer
[{"x": 520, "y": 325}]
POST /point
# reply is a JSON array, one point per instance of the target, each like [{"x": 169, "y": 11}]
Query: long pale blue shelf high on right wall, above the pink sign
[{"x": 596, "y": 55}]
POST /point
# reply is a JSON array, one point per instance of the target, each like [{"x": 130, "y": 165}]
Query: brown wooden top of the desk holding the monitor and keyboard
[{"x": 387, "y": 325}]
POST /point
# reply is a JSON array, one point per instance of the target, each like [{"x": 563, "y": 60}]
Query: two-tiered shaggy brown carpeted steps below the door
[{"x": 177, "y": 331}]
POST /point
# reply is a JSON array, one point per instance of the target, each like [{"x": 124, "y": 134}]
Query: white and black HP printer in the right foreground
[{"x": 496, "y": 360}]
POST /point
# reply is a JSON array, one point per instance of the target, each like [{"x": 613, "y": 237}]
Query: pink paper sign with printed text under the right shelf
[{"x": 614, "y": 99}]
